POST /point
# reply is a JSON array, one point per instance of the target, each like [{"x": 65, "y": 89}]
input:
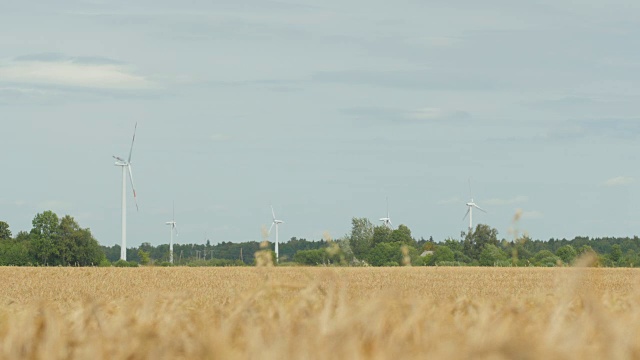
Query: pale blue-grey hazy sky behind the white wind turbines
[{"x": 323, "y": 109}]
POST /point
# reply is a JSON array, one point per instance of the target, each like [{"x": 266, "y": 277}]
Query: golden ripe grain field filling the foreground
[{"x": 319, "y": 313}]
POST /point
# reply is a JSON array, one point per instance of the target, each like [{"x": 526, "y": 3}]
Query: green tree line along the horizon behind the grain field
[{"x": 55, "y": 241}]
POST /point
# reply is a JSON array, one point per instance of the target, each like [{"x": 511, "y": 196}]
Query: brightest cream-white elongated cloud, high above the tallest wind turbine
[{"x": 52, "y": 69}]
